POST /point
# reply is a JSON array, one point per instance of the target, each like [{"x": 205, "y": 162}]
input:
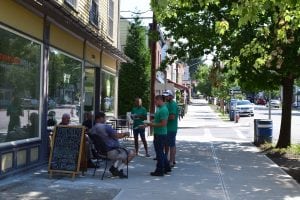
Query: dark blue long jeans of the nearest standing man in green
[{"x": 162, "y": 162}]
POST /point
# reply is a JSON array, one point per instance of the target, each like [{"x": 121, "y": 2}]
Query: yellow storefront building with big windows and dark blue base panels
[{"x": 56, "y": 57}]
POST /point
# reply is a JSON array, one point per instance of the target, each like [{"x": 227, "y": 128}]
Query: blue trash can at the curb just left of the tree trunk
[{"x": 262, "y": 131}]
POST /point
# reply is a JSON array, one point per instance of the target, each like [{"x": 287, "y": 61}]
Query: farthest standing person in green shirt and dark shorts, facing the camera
[{"x": 139, "y": 113}]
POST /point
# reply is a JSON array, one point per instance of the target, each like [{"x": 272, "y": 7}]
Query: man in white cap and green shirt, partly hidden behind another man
[{"x": 172, "y": 126}]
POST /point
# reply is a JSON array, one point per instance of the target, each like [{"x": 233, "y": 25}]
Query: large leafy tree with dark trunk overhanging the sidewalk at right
[{"x": 259, "y": 40}]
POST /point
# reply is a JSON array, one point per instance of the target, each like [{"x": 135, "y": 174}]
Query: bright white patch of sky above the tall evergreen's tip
[{"x": 136, "y": 6}]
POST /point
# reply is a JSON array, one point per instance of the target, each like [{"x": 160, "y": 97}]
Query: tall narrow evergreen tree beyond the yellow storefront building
[{"x": 134, "y": 77}]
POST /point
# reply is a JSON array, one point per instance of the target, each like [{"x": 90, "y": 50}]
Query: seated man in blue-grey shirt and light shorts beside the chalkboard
[{"x": 110, "y": 137}]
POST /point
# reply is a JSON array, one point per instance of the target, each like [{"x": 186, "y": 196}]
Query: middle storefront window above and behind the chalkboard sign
[{"x": 65, "y": 83}]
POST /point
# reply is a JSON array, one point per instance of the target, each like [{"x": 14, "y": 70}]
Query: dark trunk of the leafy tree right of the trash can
[{"x": 285, "y": 128}]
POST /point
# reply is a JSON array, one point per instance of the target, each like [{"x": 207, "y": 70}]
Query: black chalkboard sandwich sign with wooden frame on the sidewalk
[{"x": 67, "y": 145}]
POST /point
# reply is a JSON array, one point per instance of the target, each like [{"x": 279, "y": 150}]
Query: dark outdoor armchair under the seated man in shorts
[{"x": 100, "y": 153}]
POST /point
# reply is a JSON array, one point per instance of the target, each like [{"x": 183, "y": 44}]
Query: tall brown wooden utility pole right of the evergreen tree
[{"x": 153, "y": 64}]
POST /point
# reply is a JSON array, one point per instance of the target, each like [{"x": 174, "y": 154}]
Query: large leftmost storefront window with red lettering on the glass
[{"x": 20, "y": 61}]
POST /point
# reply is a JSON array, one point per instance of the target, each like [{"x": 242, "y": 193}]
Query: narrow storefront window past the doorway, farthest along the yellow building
[{"x": 108, "y": 93}]
